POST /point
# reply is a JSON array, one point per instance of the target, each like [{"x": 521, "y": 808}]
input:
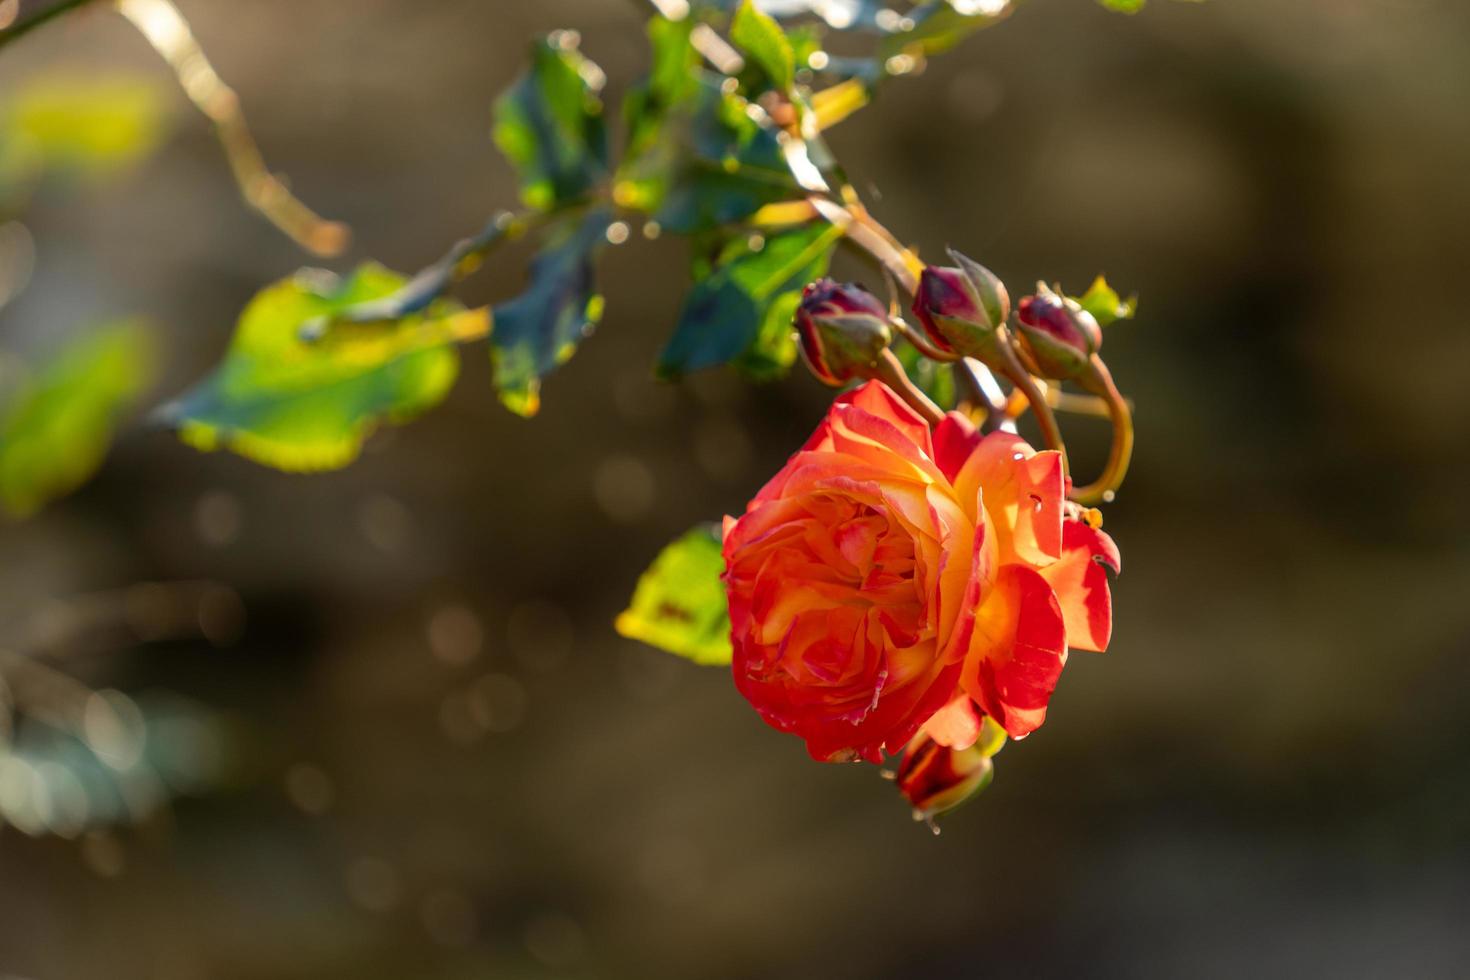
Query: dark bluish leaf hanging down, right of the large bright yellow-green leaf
[{"x": 540, "y": 330}]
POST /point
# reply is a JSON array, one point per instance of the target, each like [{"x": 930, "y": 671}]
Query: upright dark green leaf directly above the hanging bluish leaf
[{"x": 551, "y": 126}]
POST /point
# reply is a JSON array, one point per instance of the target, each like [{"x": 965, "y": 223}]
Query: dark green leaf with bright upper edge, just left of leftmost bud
[{"x": 742, "y": 311}]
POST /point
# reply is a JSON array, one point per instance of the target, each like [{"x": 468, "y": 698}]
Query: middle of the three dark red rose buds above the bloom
[{"x": 962, "y": 306}]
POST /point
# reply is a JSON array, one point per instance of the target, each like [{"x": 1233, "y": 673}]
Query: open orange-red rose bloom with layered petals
[{"x": 892, "y": 580}]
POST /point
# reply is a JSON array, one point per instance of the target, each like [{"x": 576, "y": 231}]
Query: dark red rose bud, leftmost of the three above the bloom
[{"x": 843, "y": 330}]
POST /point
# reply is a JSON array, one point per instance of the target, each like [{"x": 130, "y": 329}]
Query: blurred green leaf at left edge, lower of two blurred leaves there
[{"x": 57, "y": 428}]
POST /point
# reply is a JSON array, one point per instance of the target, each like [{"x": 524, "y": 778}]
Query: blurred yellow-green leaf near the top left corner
[{"x": 77, "y": 127}]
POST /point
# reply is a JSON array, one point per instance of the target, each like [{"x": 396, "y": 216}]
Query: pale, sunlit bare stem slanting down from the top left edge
[{"x": 167, "y": 30}]
